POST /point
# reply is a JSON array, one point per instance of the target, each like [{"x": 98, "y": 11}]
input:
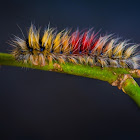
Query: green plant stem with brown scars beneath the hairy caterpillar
[{"x": 105, "y": 74}]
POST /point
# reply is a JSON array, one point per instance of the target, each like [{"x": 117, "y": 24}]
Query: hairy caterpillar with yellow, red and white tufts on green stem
[{"x": 78, "y": 47}]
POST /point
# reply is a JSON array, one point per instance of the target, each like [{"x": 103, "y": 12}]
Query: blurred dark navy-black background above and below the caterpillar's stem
[{"x": 46, "y": 105}]
